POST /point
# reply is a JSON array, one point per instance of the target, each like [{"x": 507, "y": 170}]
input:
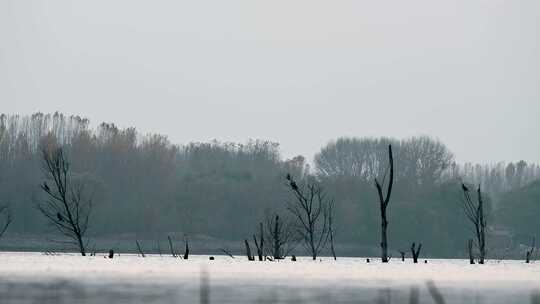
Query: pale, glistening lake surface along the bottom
[{"x": 70, "y": 278}]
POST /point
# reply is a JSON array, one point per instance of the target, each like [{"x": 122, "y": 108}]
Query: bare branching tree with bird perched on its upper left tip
[{"x": 310, "y": 210}]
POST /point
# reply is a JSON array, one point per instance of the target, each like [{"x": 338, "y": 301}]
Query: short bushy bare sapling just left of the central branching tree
[{"x": 280, "y": 237}]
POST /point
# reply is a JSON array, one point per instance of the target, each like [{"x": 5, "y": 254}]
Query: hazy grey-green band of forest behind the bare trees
[{"x": 144, "y": 184}]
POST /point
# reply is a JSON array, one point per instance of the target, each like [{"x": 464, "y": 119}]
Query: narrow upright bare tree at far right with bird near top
[{"x": 475, "y": 214}]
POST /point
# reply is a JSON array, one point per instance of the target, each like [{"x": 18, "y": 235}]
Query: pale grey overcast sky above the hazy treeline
[{"x": 297, "y": 72}]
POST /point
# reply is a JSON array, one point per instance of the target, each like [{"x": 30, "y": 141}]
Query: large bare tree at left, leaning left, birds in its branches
[{"x": 67, "y": 207}]
